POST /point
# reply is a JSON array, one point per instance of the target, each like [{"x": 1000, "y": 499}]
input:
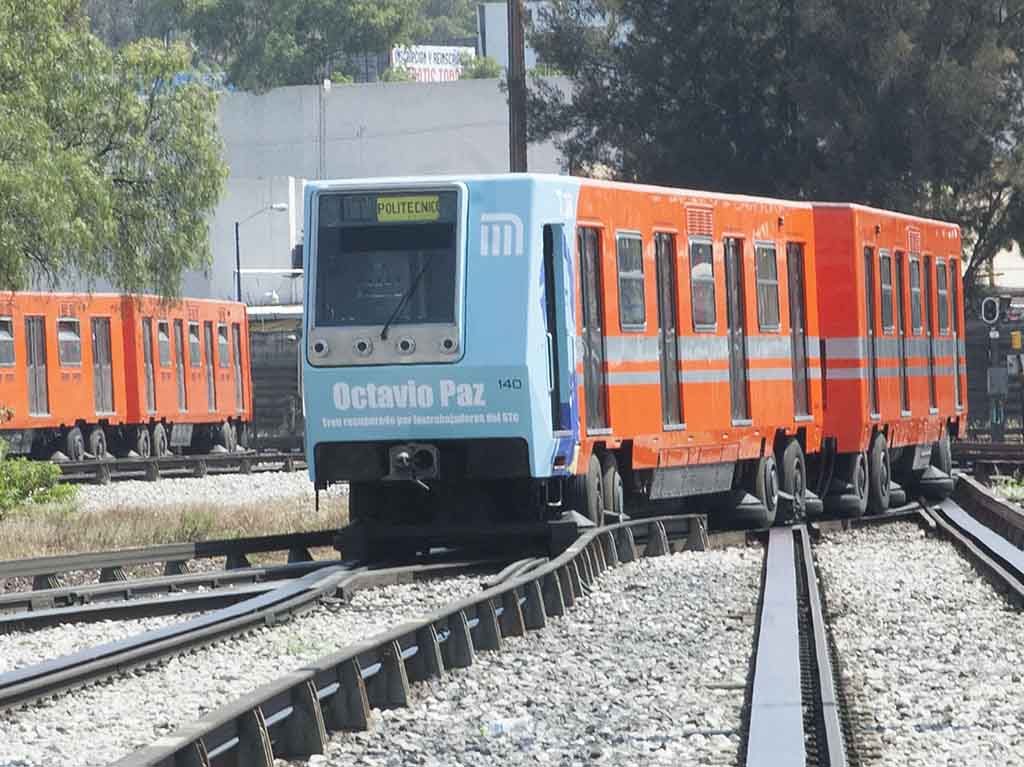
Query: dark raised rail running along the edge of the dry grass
[{"x": 176, "y": 557}]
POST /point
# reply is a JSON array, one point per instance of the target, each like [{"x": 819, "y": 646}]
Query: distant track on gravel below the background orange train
[{"x": 104, "y": 472}]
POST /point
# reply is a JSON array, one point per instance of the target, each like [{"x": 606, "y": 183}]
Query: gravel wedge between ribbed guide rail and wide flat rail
[{"x": 651, "y": 669}]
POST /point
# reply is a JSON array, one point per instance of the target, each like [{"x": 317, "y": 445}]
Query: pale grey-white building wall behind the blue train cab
[{"x": 275, "y": 141}]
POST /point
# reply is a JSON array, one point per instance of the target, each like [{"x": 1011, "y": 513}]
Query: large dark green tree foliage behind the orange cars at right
[{"x": 916, "y": 106}]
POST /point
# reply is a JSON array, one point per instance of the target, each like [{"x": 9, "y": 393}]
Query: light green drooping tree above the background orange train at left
[{"x": 110, "y": 163}]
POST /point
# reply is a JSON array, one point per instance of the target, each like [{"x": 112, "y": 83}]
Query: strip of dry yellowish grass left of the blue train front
[{"x": 58, "y": 529}]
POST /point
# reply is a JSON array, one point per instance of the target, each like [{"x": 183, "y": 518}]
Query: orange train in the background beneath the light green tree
[{"x": 89, "y": 375}]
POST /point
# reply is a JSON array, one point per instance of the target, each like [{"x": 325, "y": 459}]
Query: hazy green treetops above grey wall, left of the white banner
[{"x": 263, "y": 45}]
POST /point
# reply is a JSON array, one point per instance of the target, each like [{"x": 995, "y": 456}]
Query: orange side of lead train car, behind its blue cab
[{"x": 709, "y": 301}]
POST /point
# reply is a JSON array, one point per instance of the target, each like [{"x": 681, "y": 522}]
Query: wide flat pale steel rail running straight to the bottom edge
[{"x": 777, "y": 737}]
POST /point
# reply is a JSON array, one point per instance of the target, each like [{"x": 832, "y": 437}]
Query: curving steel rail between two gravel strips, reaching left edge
[{"x": 33, "y": 683}]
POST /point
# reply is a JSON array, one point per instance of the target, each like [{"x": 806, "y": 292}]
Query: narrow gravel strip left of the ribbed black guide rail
[{"x": 101, "y": 725}]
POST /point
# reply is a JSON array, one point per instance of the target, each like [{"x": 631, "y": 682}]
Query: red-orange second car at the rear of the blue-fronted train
[{"x": 892, "y": 337}]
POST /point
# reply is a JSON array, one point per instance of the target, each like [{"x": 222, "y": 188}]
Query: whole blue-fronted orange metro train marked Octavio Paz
[{"x": 488, "y": 350}]
